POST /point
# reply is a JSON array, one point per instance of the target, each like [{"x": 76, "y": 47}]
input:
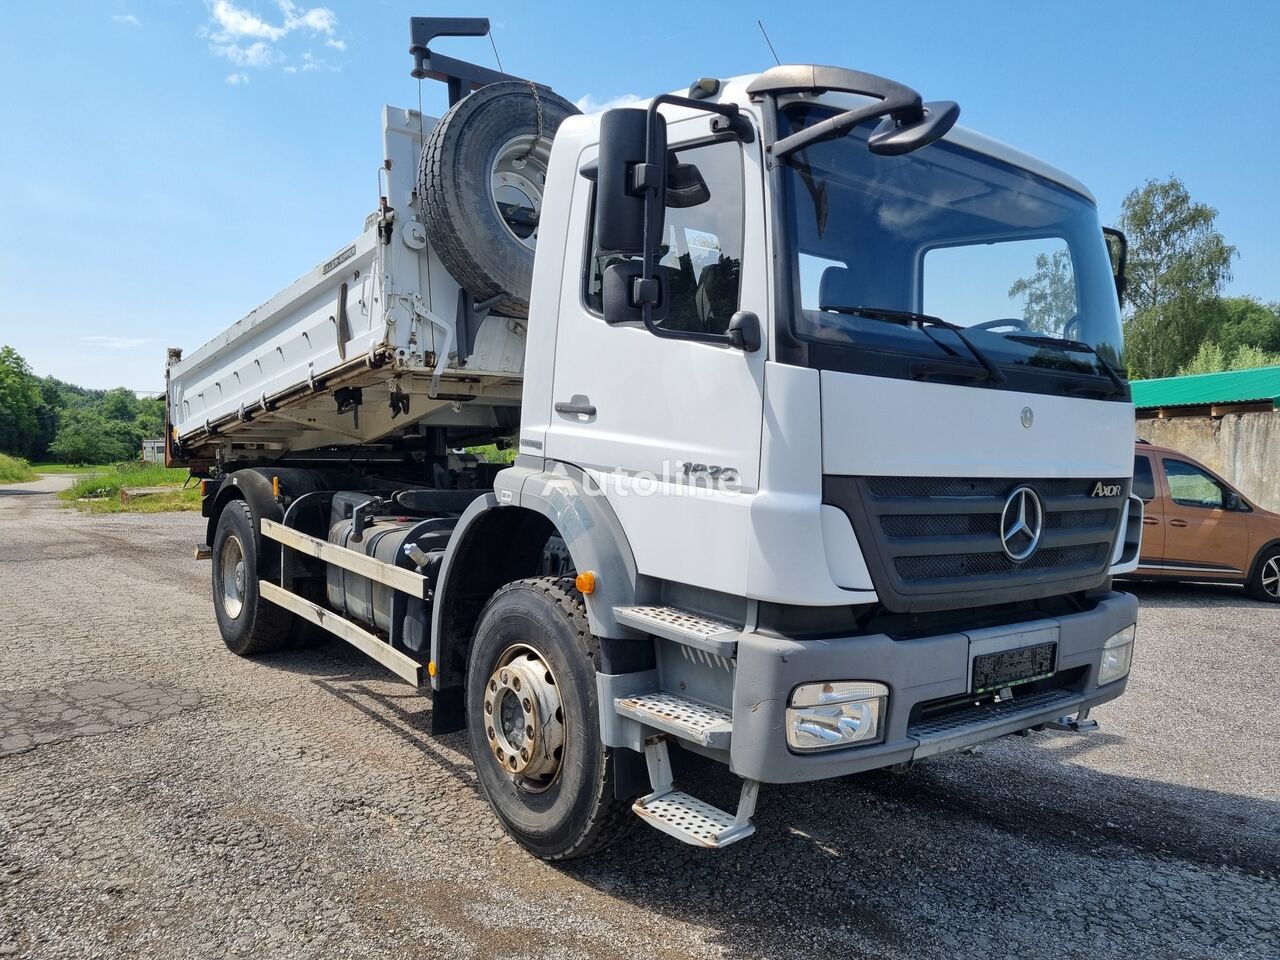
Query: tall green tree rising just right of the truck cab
[{"x": 1178, "y": 264}]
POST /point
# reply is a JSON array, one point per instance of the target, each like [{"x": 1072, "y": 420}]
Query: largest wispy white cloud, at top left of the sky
[{"x": 248, "y": 39}]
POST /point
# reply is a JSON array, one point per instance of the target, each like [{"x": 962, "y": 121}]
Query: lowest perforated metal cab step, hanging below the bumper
[{"x": 685, "y": 817}]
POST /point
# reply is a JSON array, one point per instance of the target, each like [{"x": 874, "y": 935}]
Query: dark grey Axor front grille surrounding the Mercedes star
[{"x": 934, "y": 543}]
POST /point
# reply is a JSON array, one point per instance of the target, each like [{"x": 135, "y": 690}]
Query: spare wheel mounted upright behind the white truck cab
[{"x": 482, "y": 177}]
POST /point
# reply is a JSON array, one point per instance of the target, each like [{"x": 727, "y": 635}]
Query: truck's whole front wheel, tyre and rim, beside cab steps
[{"x": 534, "y": 724}]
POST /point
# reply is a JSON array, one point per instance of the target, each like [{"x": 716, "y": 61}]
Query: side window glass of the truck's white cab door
[{"x": 702, "y": 252}]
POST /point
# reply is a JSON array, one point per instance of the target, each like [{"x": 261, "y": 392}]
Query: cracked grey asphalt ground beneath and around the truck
[{"x": 161, "y": 798}]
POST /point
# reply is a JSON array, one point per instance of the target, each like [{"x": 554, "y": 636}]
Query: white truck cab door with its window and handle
[{"x": 670, "y": 427}]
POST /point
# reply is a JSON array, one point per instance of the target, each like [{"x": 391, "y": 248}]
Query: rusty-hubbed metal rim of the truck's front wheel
[{"x": 524, "y": 719}]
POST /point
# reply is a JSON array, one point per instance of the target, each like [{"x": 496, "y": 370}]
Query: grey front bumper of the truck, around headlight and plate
[{"x": 916, "y": 671}]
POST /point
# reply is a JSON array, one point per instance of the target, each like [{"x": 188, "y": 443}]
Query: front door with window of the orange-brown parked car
[{"x": 1203, "y": 537}]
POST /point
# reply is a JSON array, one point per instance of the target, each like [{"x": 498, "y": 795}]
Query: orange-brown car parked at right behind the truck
[{"x": 1197, "y": 527}]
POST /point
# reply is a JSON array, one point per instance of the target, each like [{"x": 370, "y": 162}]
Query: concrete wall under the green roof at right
[{"x": 1245, "y": 449}]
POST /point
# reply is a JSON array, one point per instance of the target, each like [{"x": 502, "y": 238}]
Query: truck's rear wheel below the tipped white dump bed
[{"x": 249, "y": 624}]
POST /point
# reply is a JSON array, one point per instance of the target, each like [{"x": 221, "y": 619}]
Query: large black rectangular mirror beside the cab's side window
[{"x": 627, "y": 182}]
